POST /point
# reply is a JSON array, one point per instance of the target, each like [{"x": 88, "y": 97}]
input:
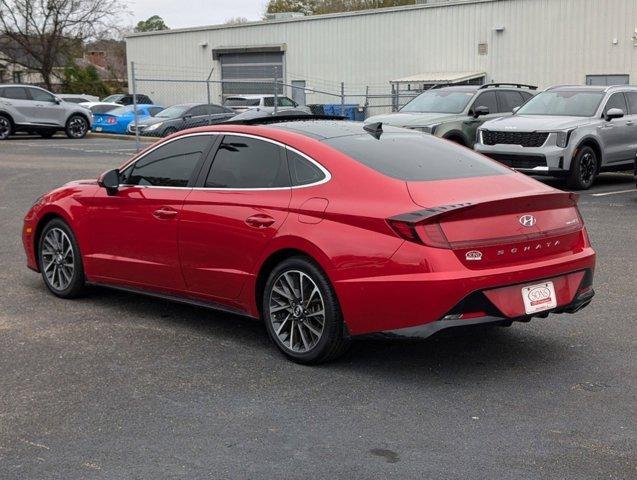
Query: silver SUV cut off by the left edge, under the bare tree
[{"x": 24, "y": 108}]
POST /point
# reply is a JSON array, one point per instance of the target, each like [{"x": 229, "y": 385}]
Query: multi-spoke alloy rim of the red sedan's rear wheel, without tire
[{"x": 297, "y": 311}]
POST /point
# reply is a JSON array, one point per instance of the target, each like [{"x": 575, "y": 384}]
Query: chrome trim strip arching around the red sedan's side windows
[{"x": 326, "y": 172}]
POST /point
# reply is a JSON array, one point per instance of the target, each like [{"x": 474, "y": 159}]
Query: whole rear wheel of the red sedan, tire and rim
[{"x": 302, "y": 314}]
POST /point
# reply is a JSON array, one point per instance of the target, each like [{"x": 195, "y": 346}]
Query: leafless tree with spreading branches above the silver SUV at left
[{"x": 44, "y": 34}]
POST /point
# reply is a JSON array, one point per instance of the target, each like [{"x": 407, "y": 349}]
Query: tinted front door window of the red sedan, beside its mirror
[{"x": 171, "y": 165}]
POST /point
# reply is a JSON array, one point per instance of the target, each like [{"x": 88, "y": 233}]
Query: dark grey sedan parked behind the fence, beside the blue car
[{"x": 180, "y": 117}]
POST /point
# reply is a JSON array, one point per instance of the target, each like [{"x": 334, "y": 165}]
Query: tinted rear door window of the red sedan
[{"x": 244, "y": 162}]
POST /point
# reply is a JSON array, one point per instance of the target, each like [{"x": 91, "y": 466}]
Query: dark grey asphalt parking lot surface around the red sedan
[{"x": 118, "y": 386}]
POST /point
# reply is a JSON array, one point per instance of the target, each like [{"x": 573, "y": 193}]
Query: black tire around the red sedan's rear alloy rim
[{"x": 333, "y": 340}]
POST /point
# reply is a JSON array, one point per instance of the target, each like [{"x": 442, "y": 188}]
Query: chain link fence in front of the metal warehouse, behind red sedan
[{"x": 165, "y": 99}]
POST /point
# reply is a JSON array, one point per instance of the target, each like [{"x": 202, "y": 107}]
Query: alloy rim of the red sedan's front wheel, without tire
[{"x": 58, "y": 259}]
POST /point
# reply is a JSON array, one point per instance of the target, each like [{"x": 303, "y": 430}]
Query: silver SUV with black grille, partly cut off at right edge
[{"x": 573, "y": 131}]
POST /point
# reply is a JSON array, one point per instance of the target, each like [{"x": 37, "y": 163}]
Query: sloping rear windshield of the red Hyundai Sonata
[{"x": 416, "y": 157}]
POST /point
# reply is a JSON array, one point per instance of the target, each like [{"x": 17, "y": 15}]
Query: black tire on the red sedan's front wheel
[{"x": 76, "y": 280}]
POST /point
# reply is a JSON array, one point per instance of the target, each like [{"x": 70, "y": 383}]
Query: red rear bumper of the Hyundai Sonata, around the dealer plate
[{"x": 395, "y": 302}]
